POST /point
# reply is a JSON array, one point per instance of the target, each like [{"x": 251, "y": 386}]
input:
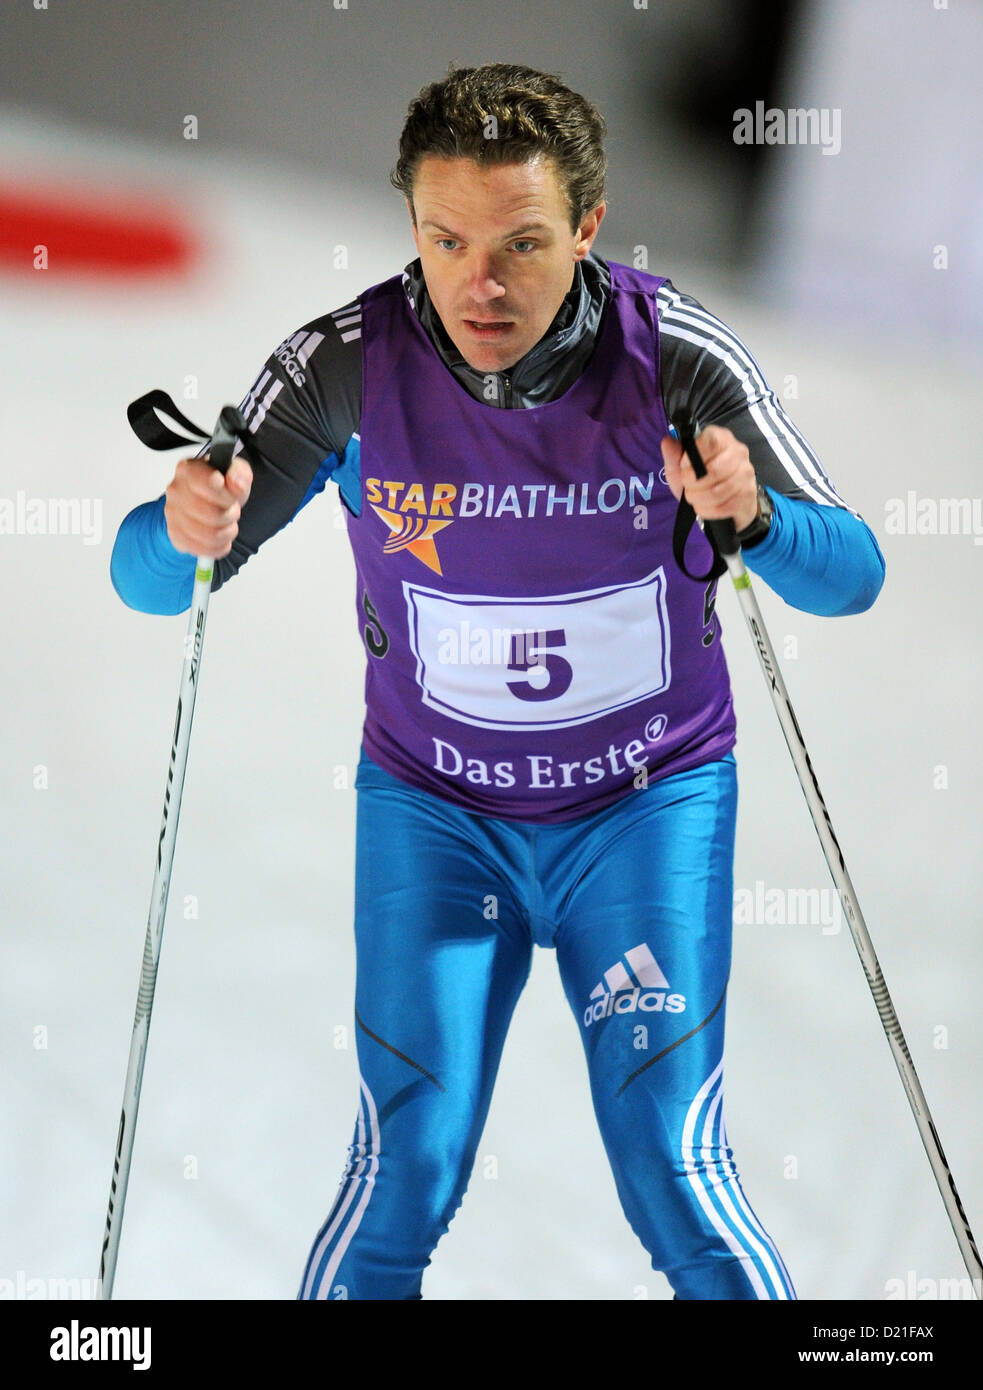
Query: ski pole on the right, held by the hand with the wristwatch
[{"x": 725, "y": 539}]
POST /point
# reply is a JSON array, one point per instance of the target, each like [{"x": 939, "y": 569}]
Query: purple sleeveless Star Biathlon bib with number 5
[{"x": 530, "y": 641}]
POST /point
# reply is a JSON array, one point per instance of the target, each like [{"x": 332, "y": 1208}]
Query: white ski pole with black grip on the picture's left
[{"x": 220, "y": 455}]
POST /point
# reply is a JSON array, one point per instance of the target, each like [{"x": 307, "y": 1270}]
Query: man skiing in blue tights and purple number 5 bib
[{"x": 547, "y": 755}]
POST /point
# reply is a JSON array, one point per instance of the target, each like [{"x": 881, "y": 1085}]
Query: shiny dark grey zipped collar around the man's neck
[{"x": 553, "y": 365}]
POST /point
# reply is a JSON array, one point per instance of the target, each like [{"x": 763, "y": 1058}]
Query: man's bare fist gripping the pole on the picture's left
[{"x": 202, "y": 507}]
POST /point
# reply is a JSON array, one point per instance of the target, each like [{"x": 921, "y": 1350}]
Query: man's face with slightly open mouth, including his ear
[{"x": 497, "y": 252}]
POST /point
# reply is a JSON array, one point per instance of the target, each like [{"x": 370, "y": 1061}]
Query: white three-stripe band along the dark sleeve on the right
[{"x": 790, "y": 450}]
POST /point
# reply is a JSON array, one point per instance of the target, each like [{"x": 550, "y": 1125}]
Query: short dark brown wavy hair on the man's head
[{"x": 507, "y": 115}]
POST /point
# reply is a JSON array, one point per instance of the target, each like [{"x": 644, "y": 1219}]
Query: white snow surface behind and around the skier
[{"x": 248, "y": 1099}]
